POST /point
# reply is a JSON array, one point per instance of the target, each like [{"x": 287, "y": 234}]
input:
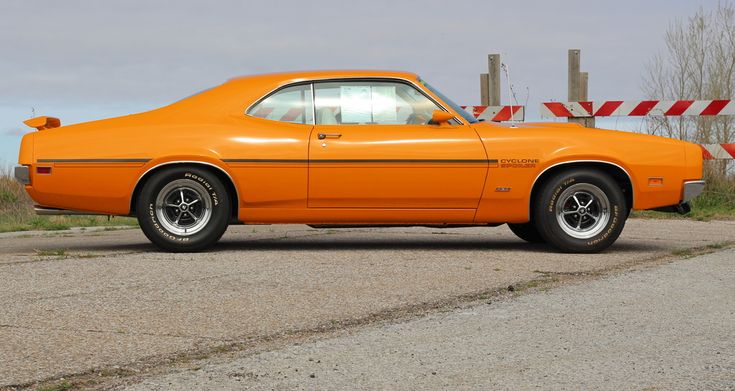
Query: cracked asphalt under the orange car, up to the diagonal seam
[{"x": 91, "y": 301}]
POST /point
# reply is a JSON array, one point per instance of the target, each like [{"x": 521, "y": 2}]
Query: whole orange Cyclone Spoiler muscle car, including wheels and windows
[{"x": 346, "y": 148}]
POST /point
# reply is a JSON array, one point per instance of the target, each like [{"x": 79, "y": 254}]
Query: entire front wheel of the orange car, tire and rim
[{"x": 580, "y": 211}]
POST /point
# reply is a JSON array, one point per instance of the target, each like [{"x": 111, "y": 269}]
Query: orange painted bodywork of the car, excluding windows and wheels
[{"x": 283, "y": 172}]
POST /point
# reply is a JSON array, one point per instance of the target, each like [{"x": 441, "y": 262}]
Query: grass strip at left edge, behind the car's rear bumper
[{"x": 16, "y": 212}]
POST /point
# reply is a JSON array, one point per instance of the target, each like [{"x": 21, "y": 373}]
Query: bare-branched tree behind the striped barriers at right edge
[{"x": 698, "y": 63}]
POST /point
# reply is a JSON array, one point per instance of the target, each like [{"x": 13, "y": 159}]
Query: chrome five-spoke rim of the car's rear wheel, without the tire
[{"x": 183, "y": 207}]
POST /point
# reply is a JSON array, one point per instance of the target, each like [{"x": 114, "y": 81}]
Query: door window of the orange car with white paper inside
[{"x": 371, "y": 102}]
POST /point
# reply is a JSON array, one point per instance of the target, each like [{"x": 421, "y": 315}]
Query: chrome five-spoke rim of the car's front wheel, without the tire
[{"x": 583, "y": 210}]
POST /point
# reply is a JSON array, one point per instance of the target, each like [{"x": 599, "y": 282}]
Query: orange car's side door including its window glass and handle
[{"x": 373, "y": 147}]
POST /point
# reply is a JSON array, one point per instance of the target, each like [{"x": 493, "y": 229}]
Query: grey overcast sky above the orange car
[{"x": 85, "y": 60}]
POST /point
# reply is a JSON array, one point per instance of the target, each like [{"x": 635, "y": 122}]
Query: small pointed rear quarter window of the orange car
[{"x": 292, "y": 104}]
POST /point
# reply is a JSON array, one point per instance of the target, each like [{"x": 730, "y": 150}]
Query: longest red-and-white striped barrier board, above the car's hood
[{"x": 638, "y": 108}]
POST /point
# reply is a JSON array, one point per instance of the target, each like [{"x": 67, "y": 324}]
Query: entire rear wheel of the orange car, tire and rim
[{"x": 190, "y": 225}]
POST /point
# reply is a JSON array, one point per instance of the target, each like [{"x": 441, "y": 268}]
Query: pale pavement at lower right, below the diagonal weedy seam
[{"x": 667, "y": 328}]
